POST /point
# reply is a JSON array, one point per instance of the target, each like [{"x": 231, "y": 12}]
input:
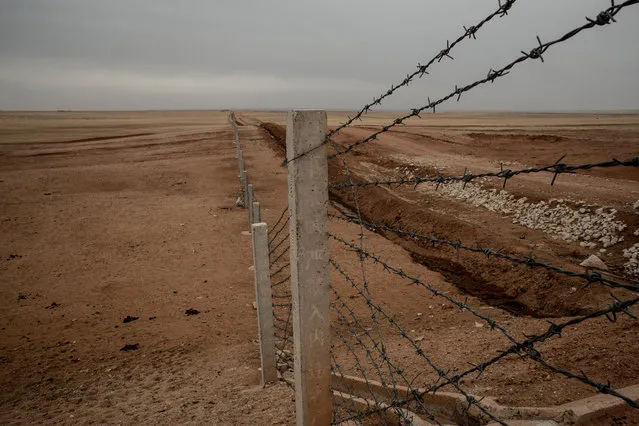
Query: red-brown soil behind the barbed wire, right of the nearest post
[{"x": 518, "y": 296}]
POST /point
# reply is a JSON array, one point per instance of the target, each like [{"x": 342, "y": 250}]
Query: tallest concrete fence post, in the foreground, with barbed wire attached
[{"x": 308, "y": 202}]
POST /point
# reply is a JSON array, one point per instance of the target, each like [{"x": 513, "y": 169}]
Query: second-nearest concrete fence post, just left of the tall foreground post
[{"x": 264, "y": 302}]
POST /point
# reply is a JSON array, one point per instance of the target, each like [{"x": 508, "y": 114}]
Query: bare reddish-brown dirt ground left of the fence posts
[{"x": 109, "y": 215}]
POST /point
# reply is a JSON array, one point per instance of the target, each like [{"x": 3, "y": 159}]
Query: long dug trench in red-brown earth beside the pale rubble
[{"x": 516, "y": 288}]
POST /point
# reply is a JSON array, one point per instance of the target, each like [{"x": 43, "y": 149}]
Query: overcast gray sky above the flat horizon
[{"x": 281, "y": 54}]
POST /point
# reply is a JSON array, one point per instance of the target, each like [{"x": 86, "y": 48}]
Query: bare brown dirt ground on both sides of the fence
[{"x": 110, "y": 215}]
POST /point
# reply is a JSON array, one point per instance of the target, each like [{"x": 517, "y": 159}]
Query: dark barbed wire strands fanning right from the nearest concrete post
[{"x": 524, "y": 348}]
